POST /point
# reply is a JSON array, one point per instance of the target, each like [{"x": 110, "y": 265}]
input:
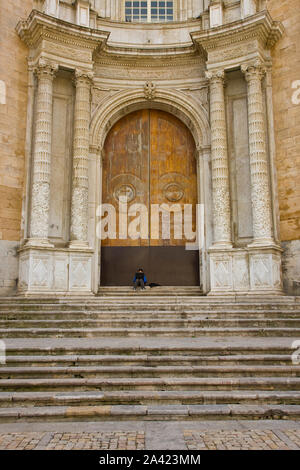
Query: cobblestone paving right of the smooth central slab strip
[{"x": 242, "y": 440}]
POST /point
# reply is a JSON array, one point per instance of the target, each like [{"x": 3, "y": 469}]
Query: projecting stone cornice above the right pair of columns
[{"x": 259, "y": 26}]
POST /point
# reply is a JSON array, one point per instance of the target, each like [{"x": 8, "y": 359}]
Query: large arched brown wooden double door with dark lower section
[{"x": 149, "y": 159}]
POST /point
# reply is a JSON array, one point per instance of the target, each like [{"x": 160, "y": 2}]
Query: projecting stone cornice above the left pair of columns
[{"x": 39, "y": 26}]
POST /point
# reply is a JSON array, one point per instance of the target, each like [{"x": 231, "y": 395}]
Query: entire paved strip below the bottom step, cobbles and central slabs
[{"x": 200, "y": 435}]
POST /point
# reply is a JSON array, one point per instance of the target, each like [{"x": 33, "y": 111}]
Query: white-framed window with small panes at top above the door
[{"x": 147, "y": 11}]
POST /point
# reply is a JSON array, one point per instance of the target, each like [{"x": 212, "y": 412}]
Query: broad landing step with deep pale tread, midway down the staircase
[{"x": 127, "y": 347}]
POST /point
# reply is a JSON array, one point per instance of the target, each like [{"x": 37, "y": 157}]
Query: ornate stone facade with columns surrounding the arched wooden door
[{"x": 216, "y": 66}]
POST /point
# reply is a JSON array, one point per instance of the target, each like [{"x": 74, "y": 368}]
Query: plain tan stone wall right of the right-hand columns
[{"x": 286, "y": 95}]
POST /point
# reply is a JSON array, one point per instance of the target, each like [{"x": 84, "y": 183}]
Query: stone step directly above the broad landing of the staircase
[{"x": 144, "y": 332}]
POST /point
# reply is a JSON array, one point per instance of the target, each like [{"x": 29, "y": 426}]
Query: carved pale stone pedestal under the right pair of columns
[{"x": 254, "y": 270}]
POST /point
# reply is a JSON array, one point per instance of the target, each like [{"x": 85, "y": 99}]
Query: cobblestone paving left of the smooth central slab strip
[{"x": 73, "y": 441}]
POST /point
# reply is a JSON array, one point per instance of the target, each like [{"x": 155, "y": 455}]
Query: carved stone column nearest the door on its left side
[{"x": 79, "y": 208}]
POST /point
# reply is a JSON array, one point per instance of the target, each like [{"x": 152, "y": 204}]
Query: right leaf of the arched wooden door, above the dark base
[{"x": 172, "y": 170}]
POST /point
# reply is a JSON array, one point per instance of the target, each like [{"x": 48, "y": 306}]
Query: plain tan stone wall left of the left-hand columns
[{"x": 13, "y": 104}]
